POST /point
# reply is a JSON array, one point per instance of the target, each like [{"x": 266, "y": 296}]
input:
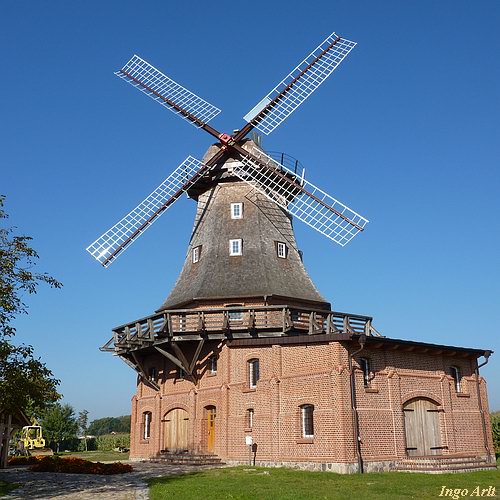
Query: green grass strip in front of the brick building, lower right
[{"x": 263, "y": 483}]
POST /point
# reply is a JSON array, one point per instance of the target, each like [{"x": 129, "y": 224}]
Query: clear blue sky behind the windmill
[{"x": 406, "y": 132}]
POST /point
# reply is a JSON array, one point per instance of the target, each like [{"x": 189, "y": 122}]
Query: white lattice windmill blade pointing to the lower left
[{"x": 115, "y": 240}]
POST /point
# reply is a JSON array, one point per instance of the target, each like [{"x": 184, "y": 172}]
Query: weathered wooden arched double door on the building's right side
[{"x": 422, "y": 429}]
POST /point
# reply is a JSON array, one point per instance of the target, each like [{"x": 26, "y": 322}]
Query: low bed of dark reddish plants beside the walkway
[{"x": 73, "y": 465}]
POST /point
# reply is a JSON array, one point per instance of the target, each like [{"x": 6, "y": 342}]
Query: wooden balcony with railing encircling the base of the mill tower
[{"x": 233, "y": 323}]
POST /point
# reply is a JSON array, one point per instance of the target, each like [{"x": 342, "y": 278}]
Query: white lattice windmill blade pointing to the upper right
[{"x": 298, "y": 85}]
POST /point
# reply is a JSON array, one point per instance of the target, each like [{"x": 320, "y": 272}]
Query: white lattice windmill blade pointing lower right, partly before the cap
[{"x": 299, "y": 197}]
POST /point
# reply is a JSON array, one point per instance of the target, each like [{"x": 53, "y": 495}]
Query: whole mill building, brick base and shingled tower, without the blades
[{"x": 246, "y": 346}]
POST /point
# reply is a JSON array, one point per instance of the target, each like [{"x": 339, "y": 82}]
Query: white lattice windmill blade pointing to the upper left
[{"x": 167, "y": 92}]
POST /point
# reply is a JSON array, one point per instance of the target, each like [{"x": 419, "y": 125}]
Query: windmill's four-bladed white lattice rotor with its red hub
[{"x": 281, "y": 185}]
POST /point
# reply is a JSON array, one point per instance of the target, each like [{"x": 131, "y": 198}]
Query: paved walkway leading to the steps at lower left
[{"x": 130, "y": 486}]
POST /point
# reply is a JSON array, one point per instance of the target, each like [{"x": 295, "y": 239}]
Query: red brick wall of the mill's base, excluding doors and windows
[{"x": 316, "y": 374}]
